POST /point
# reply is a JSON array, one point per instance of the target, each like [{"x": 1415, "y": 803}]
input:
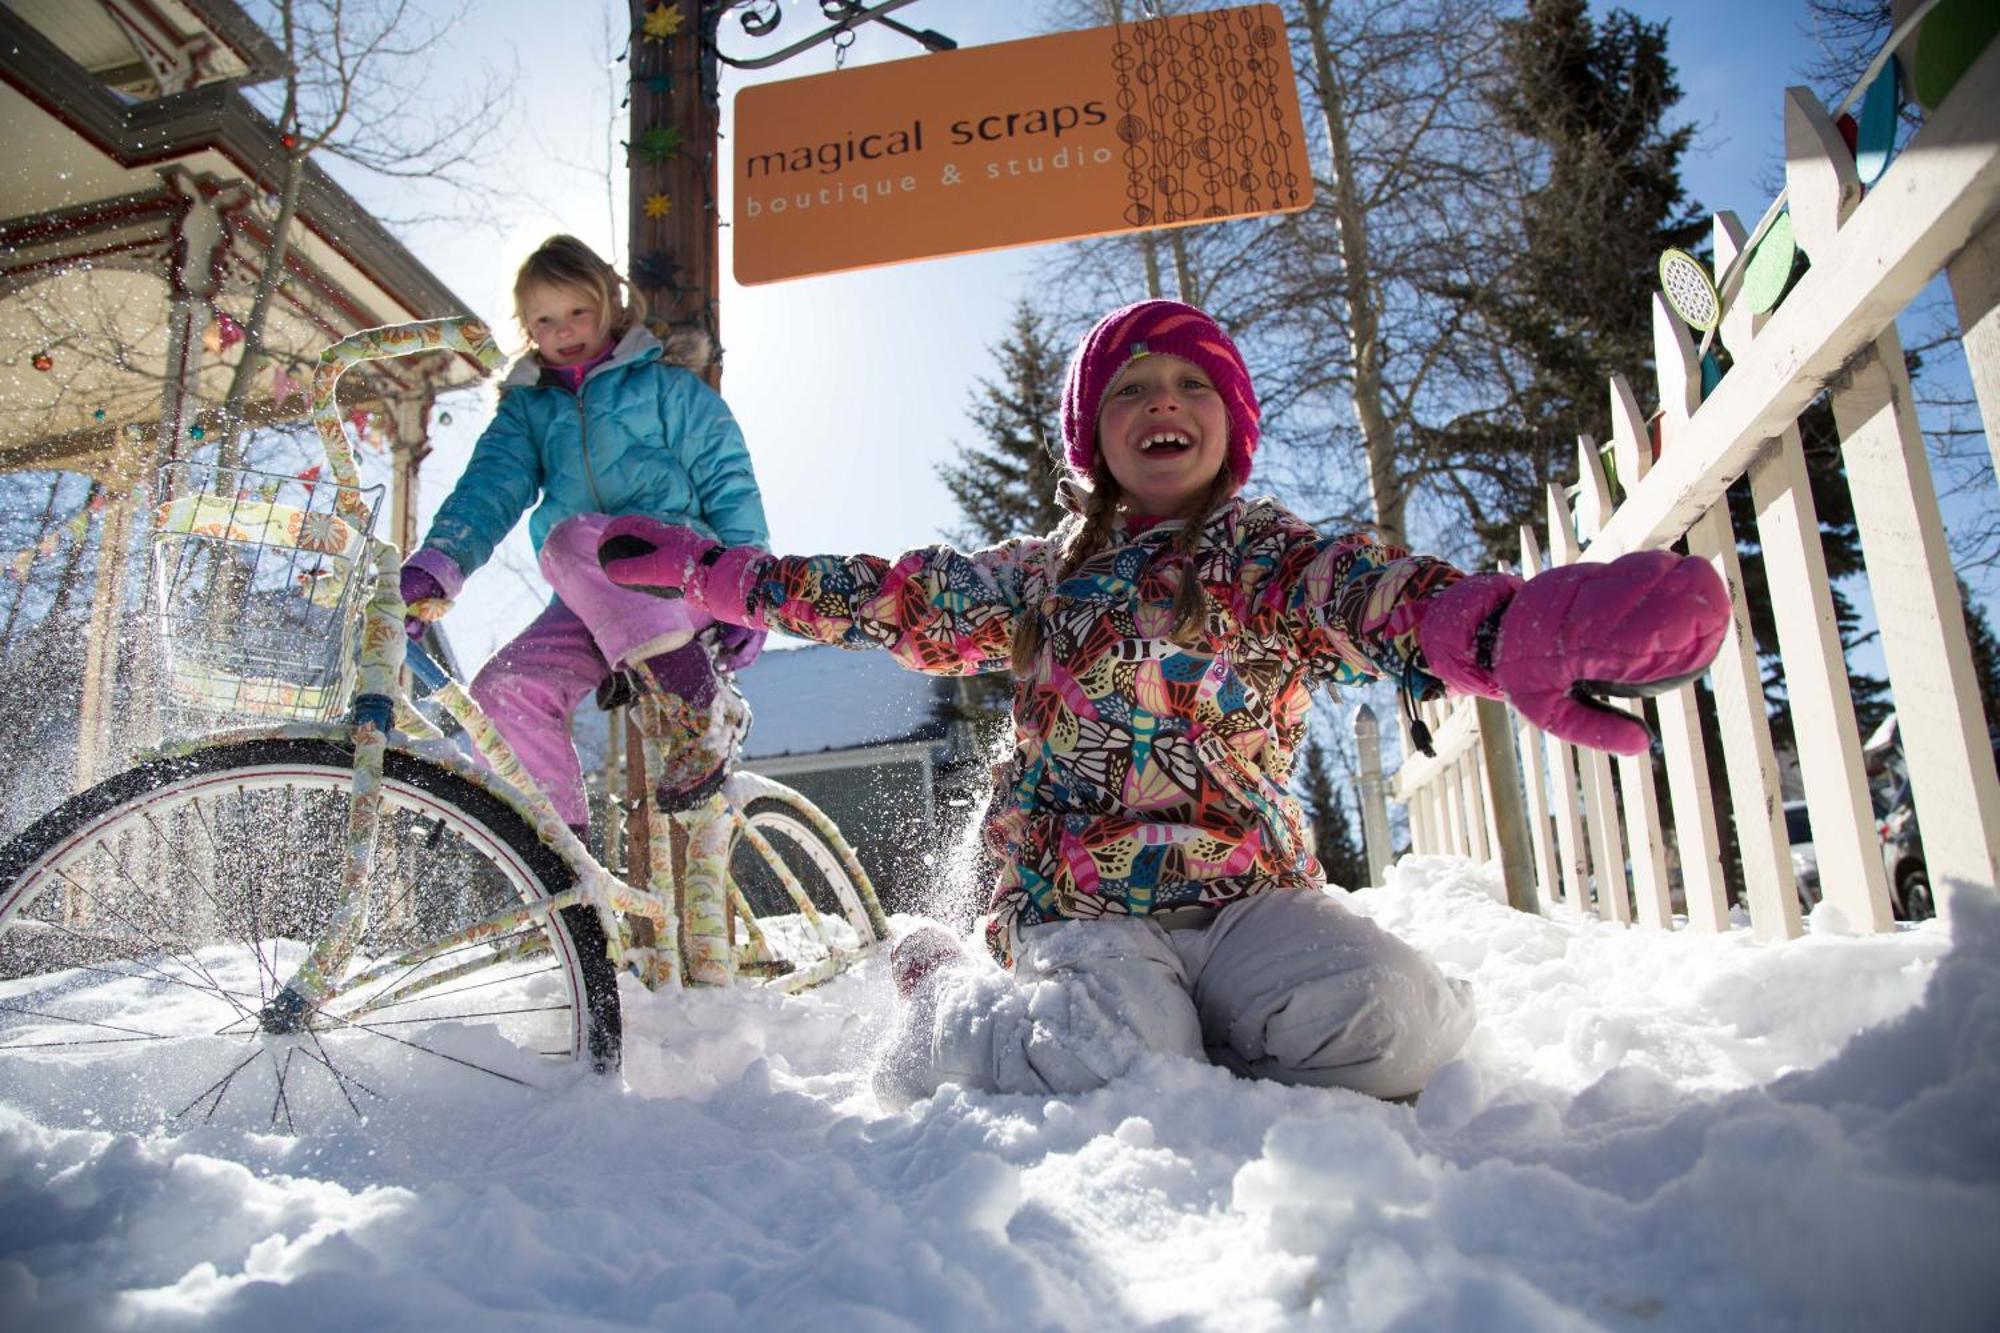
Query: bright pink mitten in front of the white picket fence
[{"x": 1557, "y": 643}]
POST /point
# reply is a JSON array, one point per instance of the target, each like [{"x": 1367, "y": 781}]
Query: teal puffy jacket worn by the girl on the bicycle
[{"x": 643, "y": 437}]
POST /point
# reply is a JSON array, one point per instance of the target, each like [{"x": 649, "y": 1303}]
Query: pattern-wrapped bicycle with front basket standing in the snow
[{"x": 343, "y": 888}]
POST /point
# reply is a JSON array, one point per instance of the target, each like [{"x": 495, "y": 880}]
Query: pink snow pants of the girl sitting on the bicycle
[{"x": 531, "y": 688}]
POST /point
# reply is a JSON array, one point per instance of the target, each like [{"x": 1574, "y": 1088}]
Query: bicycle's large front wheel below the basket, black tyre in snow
[{"x": 147, "y": 924}]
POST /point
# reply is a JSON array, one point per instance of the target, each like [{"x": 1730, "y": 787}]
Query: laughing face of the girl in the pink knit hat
[{"x": 1165, "y": 435}]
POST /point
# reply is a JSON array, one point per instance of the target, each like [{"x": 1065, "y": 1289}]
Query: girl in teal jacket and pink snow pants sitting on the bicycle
[{"x": 597, "y": 423}]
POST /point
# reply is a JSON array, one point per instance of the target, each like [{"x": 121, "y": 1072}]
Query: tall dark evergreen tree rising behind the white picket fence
[{"x": 1591, "y": 101}]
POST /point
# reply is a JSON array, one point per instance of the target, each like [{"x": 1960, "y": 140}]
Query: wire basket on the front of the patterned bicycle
[{"x": 259, "y": 585}]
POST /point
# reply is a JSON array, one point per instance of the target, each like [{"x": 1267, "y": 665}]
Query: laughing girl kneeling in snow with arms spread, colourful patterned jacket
[{"x": 1157, "y": 890}]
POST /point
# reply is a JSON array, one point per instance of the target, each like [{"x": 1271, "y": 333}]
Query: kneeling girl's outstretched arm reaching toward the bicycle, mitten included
[{"x": 935, "y": 609}]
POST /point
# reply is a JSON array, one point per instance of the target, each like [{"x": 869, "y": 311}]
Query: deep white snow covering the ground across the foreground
[{"x": 1649, "y": 1132}]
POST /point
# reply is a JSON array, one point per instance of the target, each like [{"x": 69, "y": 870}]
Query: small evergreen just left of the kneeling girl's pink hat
[{"x": 1007, "y": 485}]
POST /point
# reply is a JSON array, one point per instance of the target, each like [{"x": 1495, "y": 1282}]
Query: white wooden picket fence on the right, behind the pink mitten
[{"x": 1569, "y": 832}]
